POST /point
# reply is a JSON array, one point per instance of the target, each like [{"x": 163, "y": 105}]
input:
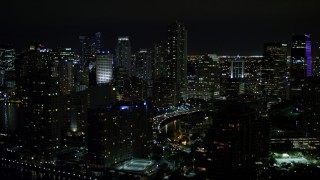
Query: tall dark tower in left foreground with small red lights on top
[{"x": 41, "y": 99}]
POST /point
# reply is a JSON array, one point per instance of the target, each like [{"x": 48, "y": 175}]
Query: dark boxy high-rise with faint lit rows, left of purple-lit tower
[{"x": 274, "y": 75}]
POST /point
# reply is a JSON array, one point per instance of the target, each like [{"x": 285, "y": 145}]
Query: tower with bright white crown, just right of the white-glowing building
[{"x": 123, "y": 55}]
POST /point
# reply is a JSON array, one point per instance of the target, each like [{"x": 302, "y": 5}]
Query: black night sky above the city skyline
[{"x": 214, "y": 26}]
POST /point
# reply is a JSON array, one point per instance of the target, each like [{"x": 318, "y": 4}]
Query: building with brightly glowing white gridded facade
[{"x": 104, "y": 67}]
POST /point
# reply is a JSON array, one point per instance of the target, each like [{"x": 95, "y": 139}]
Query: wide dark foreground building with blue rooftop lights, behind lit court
[{"x": 118, "y": 132}]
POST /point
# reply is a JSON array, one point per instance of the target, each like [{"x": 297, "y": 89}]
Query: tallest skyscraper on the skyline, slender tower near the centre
[{"x": 177, "y": 58}]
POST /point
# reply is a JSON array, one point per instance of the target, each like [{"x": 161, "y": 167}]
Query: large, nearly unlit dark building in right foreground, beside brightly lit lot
[{"x": 238, "y": 139}]
